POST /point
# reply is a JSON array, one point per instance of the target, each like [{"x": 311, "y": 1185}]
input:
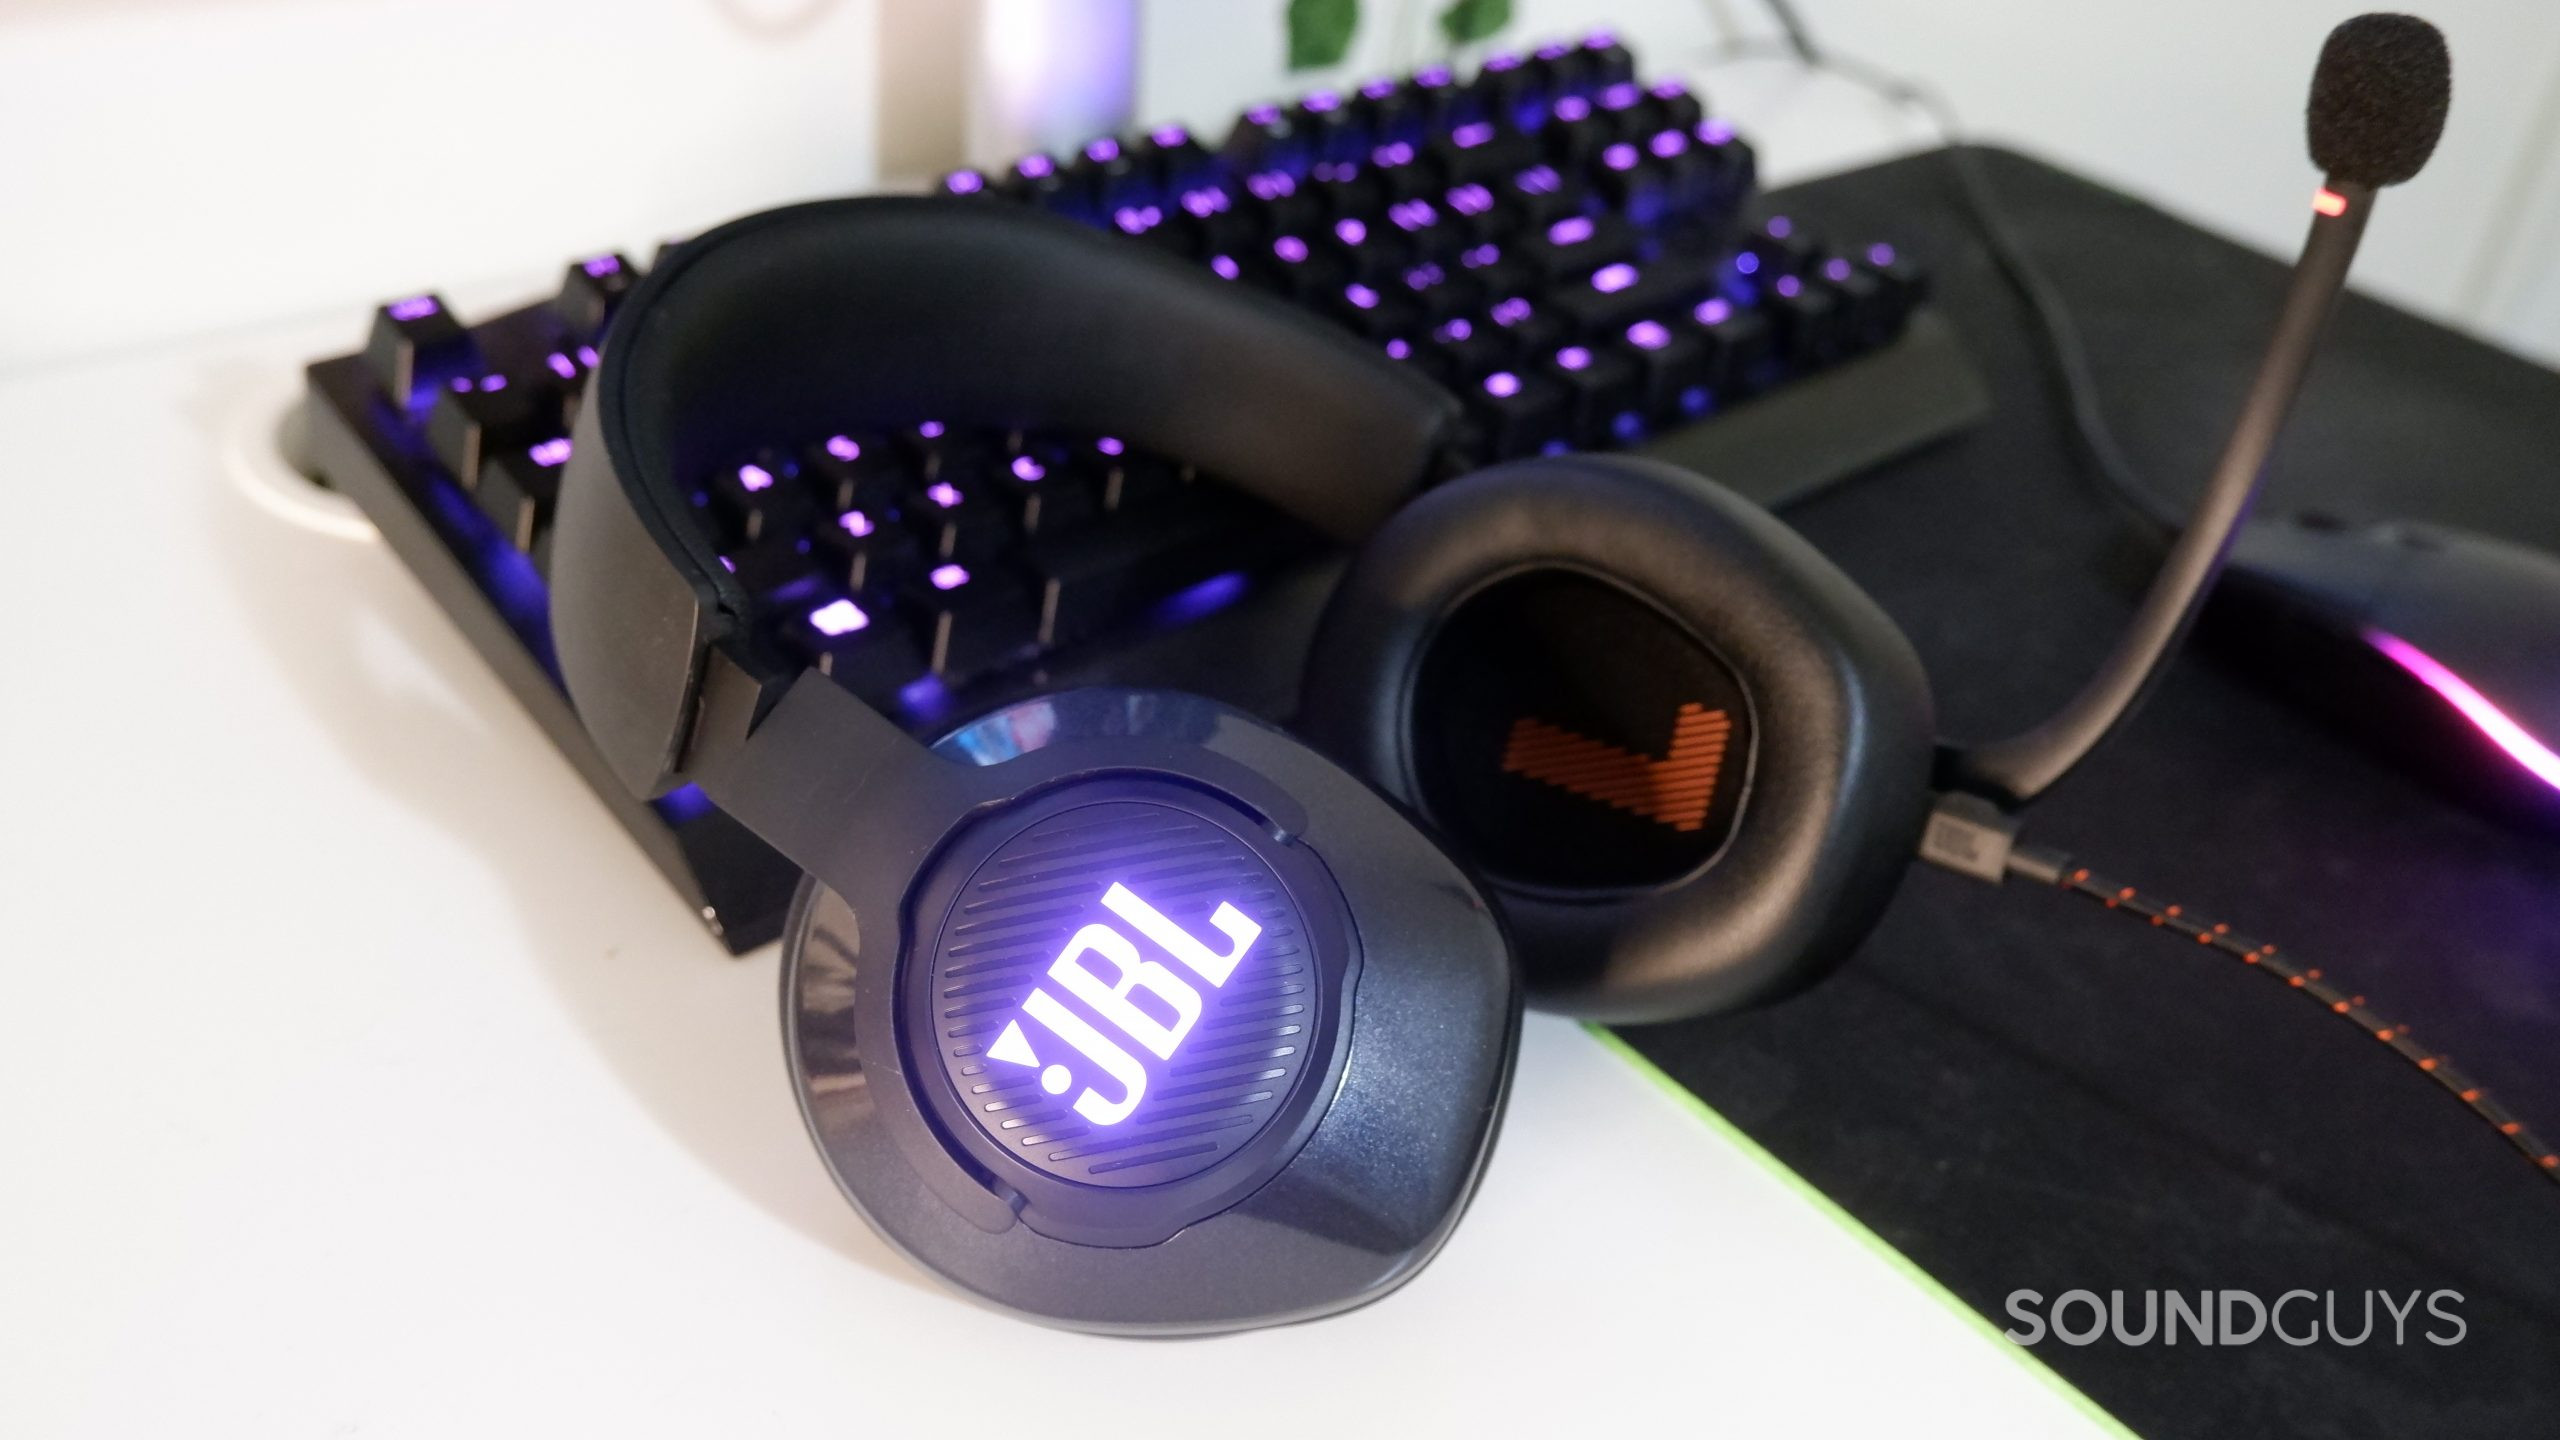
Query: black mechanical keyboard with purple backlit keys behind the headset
[{"x": 1576, "y": 255}]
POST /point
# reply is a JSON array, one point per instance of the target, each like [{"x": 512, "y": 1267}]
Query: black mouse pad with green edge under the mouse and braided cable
[{"x": 2024, "y": 1090}]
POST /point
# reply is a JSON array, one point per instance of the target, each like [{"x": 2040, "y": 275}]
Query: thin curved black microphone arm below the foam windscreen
[{"x": 2021, "y": 767}]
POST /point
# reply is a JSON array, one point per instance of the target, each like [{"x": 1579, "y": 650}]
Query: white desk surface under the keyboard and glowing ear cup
[{"x": 357, "y": 1077}]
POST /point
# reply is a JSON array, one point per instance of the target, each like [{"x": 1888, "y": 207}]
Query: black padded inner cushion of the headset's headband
[{"x": 890, "y": 311}]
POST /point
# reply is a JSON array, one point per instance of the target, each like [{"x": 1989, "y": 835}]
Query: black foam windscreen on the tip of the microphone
[{"x": 2380, "y": 99}]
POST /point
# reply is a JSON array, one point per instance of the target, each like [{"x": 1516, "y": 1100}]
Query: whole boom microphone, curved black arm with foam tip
[{"x": 2377, "y": 109}]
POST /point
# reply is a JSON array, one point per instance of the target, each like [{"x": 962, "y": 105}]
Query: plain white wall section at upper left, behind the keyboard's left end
[{"x": 188, "y": 165}]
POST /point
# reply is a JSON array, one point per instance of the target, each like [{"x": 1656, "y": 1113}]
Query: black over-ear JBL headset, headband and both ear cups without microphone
[{"x": 1128, "y": 1011}]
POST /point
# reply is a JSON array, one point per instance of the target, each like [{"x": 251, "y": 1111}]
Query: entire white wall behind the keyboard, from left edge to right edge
[{"x": 191, "y": 165}]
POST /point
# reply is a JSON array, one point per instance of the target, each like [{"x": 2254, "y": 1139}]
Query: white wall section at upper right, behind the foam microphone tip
[{"x": 2190, "y": 104}]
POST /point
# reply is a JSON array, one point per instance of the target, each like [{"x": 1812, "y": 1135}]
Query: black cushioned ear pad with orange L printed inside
[{"x": 1688, "y": 755}]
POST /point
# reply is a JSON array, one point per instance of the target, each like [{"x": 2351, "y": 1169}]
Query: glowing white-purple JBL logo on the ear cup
[{"x": 1146, "y": 1001}]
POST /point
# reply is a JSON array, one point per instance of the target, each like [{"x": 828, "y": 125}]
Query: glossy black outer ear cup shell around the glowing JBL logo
[{"x": 1386, "y": 1121}]
